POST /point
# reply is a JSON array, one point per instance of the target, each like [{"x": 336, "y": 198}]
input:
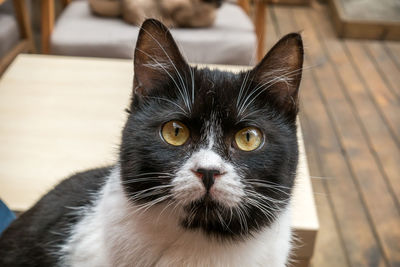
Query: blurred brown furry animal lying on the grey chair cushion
[{"x": 173, "y": 13}]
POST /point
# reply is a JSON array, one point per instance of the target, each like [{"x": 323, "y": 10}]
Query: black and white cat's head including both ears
[{"x": 220, "y": 147}]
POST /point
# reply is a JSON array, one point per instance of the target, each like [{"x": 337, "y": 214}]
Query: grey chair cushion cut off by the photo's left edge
[{"x": 9, "y": 33}]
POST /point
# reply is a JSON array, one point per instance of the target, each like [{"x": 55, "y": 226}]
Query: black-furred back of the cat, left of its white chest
[{"x": 35, "y": 237}]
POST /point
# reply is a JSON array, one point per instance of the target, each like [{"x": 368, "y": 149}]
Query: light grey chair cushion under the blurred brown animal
[{"x": 79, "y": 33}]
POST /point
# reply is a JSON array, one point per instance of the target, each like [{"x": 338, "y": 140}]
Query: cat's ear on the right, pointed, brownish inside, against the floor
[{"x": 279, "y": 72}]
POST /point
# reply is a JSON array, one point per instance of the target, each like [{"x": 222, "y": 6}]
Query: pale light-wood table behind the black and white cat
[{"x": 59, "y": 115}]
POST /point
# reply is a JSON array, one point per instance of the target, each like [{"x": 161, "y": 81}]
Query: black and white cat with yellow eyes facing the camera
[{"x": 204, "y": 177}]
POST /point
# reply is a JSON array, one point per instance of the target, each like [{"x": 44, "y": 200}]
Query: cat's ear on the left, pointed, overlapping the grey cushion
[{"x": 157, "y": 57}]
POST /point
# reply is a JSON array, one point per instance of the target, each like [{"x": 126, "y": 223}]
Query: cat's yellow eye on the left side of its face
[{"x": 175, "y": 133}]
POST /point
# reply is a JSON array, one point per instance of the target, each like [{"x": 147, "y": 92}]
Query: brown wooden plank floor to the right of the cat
[{"x": 350, "y": 114}]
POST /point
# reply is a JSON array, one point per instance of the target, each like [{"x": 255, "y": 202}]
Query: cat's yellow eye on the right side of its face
[{"x": 248, "y": 139}]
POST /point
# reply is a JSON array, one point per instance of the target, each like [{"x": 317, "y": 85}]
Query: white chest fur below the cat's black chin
[{"x": 115, "y": 233}]
